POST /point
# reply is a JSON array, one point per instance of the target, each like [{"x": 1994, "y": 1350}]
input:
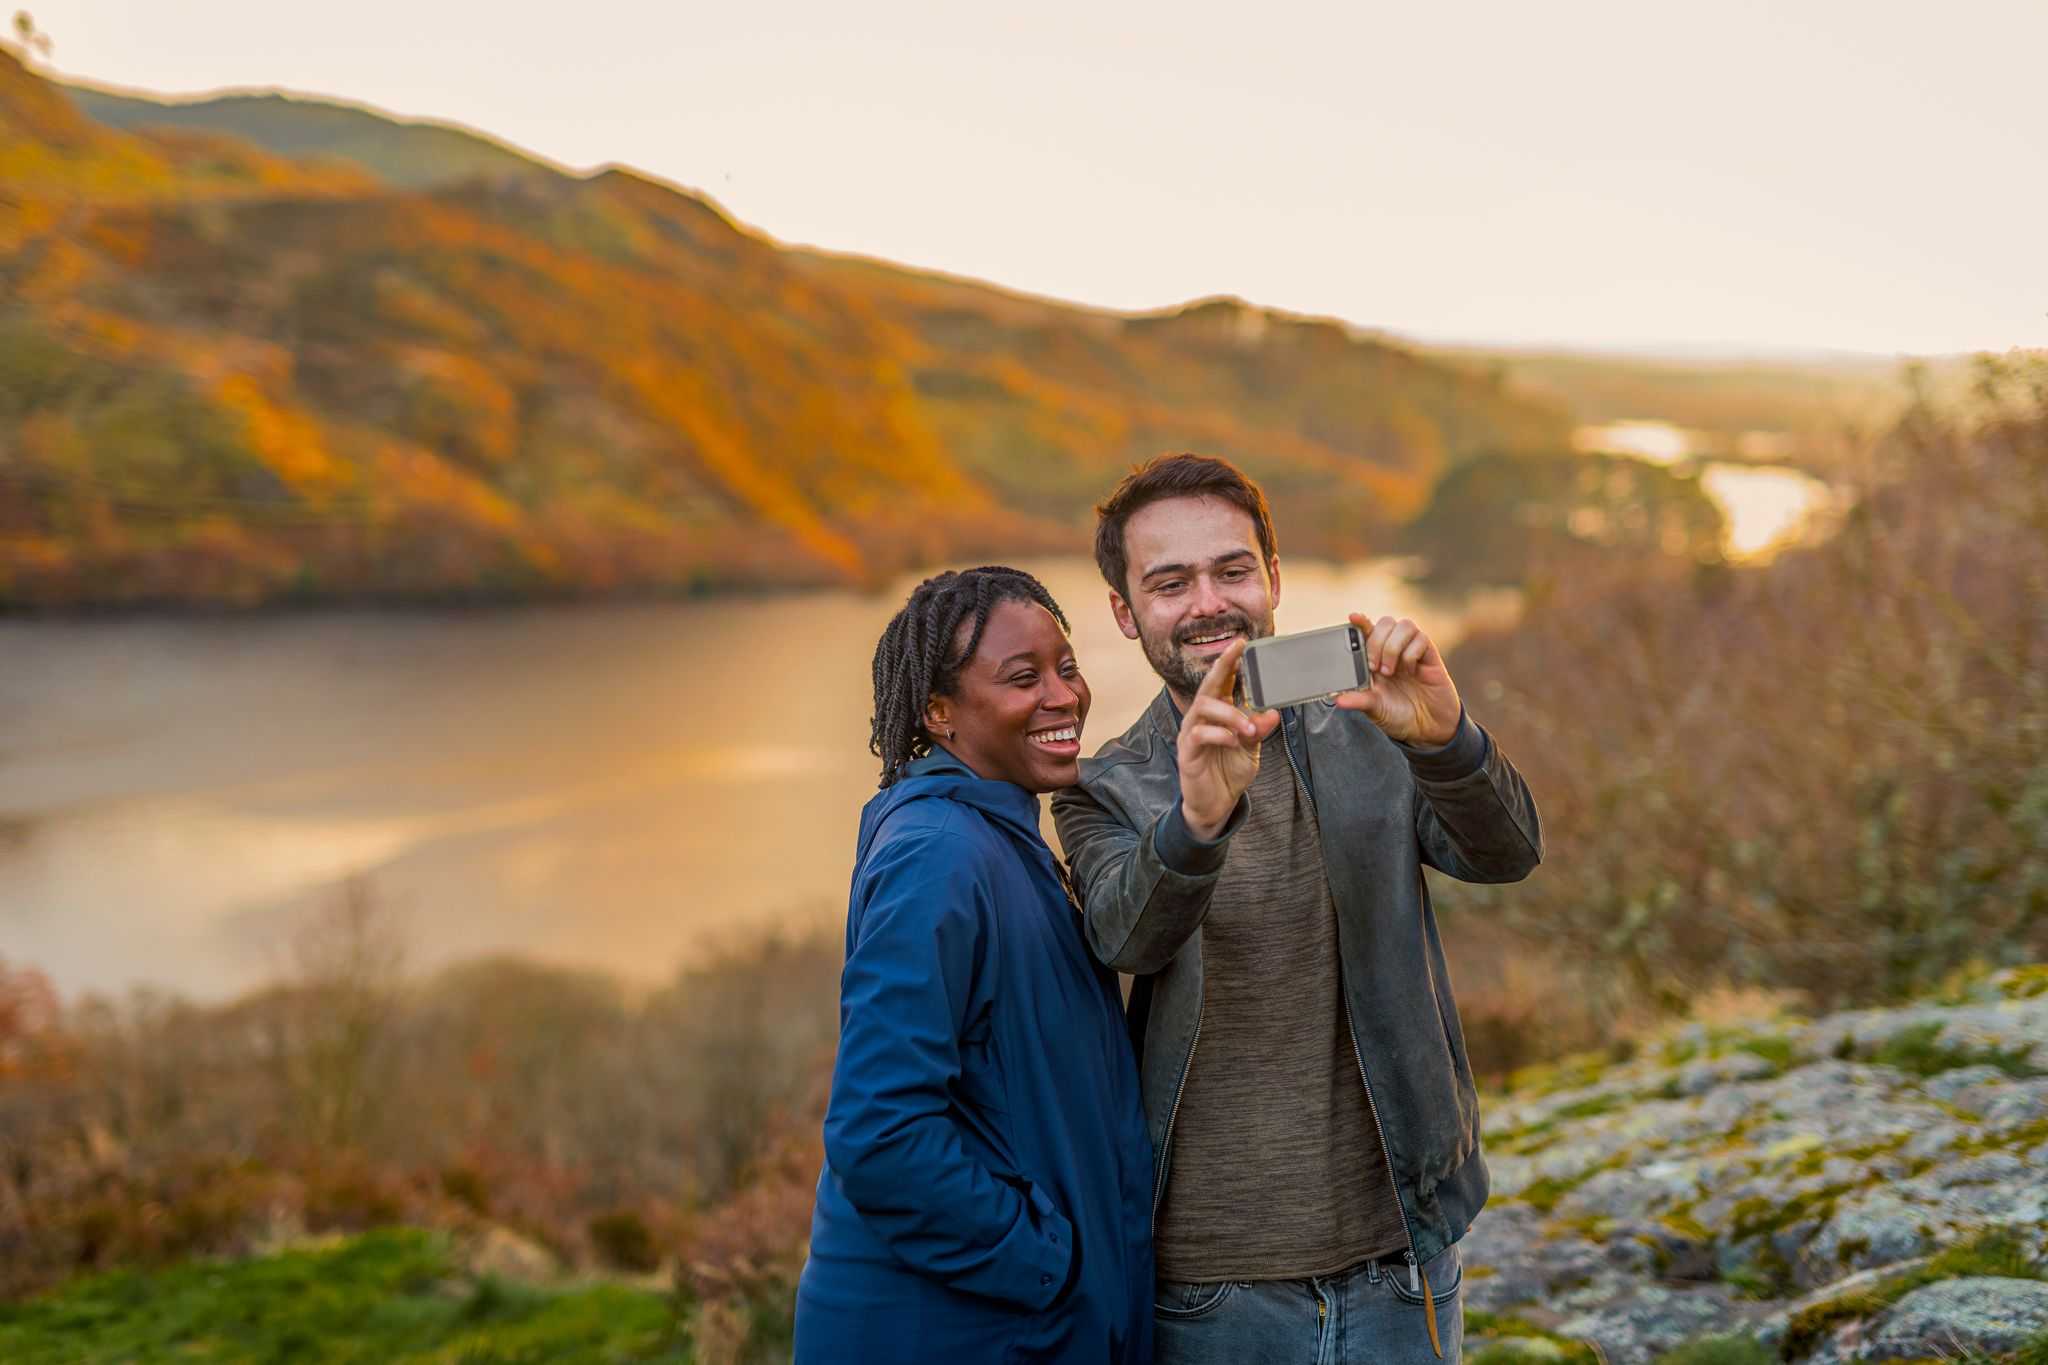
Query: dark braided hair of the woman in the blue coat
[{"x": 916, "y": 660}]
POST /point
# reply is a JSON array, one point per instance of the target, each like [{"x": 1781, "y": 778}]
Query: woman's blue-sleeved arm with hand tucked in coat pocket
[{"x": 892, "y": 1141}]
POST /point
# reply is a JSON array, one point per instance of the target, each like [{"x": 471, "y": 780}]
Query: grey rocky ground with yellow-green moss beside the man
[{"x": 1863, "y": 1188}]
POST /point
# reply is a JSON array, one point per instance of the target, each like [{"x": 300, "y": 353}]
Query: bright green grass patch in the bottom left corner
[{"x": 382, "y": 1296}]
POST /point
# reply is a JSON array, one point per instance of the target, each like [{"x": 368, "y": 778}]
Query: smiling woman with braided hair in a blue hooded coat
[{"x": 988, "y": 1176}]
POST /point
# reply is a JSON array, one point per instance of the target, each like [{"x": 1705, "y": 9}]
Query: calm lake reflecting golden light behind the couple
[{"x": 615, "y": 787}]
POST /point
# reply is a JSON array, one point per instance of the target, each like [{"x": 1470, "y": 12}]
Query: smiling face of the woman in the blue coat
[{"x": 1019, "y": 705}]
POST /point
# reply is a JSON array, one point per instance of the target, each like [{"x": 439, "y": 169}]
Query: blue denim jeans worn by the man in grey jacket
[{"x": 1347, "y": 1319}]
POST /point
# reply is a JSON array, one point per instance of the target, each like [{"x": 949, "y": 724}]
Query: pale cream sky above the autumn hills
[{"x": 1799, "y": 175}]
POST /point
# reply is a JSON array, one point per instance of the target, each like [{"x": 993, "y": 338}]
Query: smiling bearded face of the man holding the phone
[{"x": 1197, "y": 584}]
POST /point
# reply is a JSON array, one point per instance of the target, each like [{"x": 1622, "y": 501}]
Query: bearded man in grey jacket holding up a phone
[{"x": 1312, "y": 1108}]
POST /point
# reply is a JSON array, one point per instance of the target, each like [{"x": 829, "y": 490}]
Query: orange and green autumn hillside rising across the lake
[{"x": 546, "y": 384}]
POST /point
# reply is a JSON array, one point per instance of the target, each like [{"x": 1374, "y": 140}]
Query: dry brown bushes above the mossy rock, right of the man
[{"x": 1828, "y": 775}]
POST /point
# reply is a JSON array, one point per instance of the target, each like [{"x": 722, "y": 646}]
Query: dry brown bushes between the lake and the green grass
[{"x": 349, "y": 1096}]
